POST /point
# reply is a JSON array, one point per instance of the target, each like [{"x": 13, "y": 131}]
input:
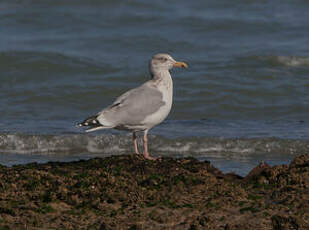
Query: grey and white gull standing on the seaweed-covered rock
[{"x": 141, "y": 108}]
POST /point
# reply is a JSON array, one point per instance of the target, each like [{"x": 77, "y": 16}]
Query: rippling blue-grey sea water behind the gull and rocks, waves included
[{"x": 245, "y": 92}]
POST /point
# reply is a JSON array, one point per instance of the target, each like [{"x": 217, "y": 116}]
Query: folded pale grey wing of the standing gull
[{"x": 132, "y": 107}]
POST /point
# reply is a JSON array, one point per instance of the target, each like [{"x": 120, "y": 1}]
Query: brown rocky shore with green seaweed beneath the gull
[{"x": 128, "y": 192}]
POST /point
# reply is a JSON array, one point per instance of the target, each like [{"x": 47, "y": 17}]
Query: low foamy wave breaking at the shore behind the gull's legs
[{"x": 119, "y": 144}]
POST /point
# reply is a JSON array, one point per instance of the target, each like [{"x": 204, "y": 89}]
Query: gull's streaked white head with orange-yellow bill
[{"x": 161, "y": 62}]
